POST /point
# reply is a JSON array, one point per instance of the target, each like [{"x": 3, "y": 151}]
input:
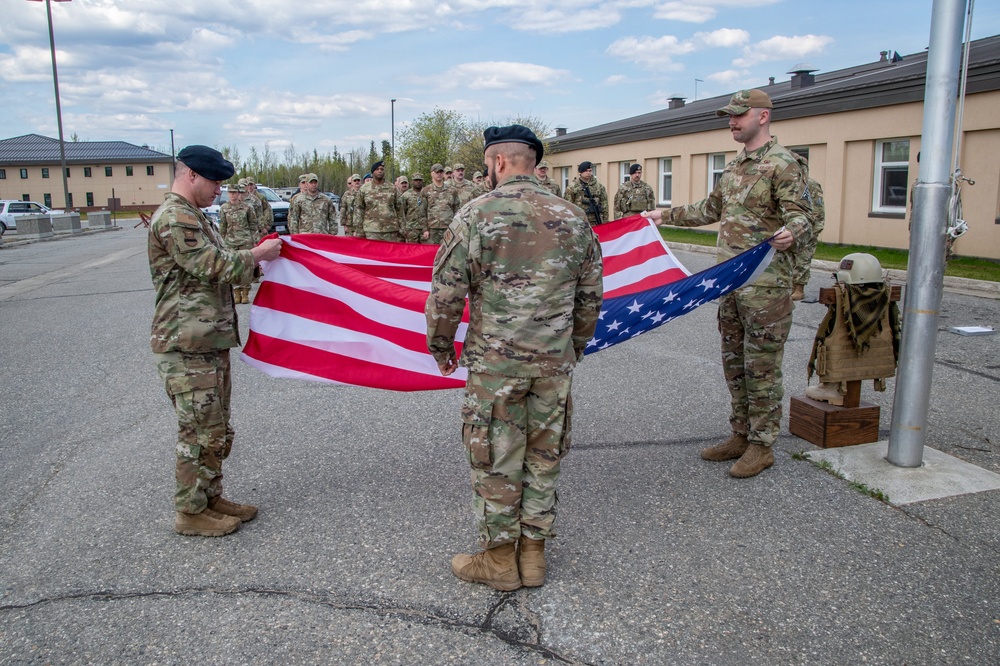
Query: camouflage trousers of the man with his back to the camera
[{"x": 516, "y": 431}]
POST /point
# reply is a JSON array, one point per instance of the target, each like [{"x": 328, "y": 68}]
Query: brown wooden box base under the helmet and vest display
[{"x": 828, "y": 426}]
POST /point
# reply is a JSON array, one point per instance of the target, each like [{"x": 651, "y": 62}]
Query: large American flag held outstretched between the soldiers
[{"x": 351, "y": 311}]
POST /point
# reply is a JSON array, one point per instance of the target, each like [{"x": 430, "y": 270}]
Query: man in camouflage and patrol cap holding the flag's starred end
[{"x": 762, "y": 193}]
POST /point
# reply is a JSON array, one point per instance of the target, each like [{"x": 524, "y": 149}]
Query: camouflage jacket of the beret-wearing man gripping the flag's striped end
[{"x": 192, "y": 275}]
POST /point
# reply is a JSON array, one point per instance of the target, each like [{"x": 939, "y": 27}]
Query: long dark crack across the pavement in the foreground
[{"x": 524, "y": 633}]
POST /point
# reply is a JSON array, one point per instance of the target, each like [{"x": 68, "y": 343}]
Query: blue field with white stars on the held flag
[{"x": 625, "y": 317}]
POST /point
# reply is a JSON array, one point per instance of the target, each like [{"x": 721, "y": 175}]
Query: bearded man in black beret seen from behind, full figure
[{"x": 532, "y": 269}]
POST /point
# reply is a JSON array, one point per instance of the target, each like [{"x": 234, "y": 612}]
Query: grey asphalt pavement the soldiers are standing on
[{"x": 364, "y": 497}]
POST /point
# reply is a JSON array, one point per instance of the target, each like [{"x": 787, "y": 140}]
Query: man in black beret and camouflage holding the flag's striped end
[{"x": 194, "y": 327}]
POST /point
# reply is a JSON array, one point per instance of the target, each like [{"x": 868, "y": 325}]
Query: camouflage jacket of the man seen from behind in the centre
[{"x": 532, "y": 269}]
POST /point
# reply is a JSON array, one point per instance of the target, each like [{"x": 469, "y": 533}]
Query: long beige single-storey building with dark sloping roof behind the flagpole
[{"x": 859, "y": 128}]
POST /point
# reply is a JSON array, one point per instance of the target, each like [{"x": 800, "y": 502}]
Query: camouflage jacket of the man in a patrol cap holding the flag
[{"x": 759, "y": 192}]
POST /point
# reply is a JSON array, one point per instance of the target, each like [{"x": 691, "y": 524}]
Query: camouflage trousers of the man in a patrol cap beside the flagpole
[{"x": 754, "y": 323}]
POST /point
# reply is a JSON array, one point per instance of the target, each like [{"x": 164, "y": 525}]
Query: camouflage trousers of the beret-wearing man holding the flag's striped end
[{"x": 199, "y": 386}]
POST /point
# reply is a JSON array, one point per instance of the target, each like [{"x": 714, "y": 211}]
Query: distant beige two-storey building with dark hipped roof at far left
[{"x": 97, "y": 170}]
